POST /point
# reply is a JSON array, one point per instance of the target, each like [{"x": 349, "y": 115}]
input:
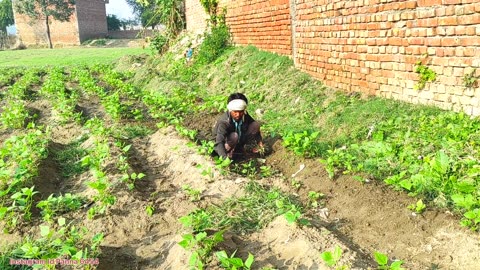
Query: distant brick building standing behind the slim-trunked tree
[{"x": 87, "y": 21}]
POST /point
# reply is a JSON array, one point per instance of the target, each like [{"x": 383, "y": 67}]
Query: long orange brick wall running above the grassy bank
[{"x": 371, "y": 46}]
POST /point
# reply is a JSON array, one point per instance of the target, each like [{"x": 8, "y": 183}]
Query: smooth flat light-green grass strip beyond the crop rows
[{"x": 64, "y": 56}]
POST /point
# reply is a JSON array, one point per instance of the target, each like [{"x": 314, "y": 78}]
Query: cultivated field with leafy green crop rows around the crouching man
[{"x": 101, "y": 171}]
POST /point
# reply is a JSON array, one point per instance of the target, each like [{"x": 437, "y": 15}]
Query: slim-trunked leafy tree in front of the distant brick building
[{"x": 46, "y": 10}]
